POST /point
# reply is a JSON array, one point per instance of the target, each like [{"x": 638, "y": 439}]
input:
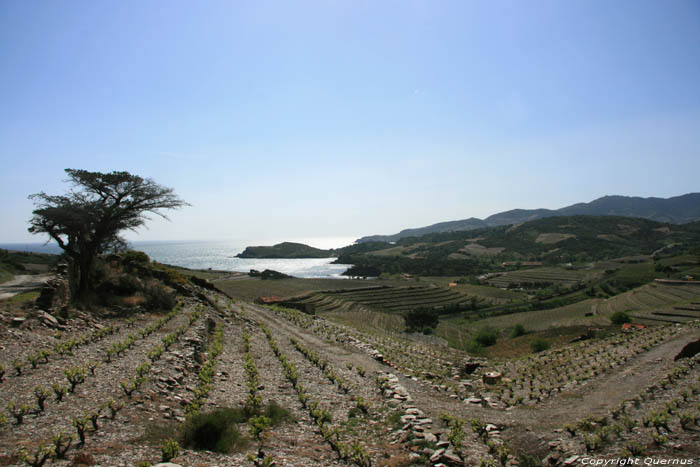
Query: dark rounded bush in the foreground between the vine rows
[{"x": 214, "y": 431}]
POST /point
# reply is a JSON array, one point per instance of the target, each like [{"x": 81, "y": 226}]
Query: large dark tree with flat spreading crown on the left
[{"x": 86, "y": 221}]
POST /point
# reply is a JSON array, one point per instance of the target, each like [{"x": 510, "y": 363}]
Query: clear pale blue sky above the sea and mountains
[{"x": 285, "y": 120}]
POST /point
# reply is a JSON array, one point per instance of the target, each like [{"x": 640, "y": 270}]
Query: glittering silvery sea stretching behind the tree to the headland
[{"x": 220, "y": 255}]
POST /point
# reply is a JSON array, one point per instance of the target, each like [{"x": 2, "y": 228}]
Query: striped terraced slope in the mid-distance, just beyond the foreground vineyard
[{"x": 385, "y": 298}]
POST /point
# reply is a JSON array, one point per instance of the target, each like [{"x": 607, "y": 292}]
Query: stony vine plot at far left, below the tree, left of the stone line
[{"x": 99, "y": 385}]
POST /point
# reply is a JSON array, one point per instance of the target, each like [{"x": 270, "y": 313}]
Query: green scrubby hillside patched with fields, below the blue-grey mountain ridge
[{"x": 552, "y": 240}]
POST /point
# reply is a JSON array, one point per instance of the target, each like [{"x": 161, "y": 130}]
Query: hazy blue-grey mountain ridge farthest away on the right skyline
[{"x": 675, "y": 210}]
